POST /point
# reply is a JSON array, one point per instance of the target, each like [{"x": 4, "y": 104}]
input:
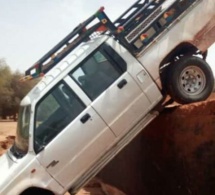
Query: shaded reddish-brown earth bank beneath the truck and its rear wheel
[{"x": 174, "y": 155}]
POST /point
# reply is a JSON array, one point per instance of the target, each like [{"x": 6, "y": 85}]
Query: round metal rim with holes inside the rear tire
[{"x": 192, "y": 80}]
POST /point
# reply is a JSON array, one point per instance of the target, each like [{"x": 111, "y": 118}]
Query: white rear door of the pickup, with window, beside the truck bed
[{"x": 114, "y": 93}]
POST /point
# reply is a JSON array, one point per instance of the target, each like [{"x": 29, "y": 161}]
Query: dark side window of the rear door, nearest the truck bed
[{"x": 99, "y": 71}]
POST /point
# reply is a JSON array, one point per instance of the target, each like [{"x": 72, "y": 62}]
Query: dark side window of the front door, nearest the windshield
[{"x": 54, "y": 112}]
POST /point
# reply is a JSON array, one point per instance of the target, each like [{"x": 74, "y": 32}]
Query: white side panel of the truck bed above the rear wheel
[{"x": 187, "y": 35}]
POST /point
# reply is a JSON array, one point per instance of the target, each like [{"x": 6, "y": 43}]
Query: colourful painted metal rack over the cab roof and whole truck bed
[{"x": 135, "y": 29}]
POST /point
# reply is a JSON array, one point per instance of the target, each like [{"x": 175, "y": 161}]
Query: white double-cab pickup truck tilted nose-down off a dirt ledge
[{"x": 98, "y": 93}]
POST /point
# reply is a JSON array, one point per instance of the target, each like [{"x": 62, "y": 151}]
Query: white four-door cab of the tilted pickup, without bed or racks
[{"x": 80, "y": 114}]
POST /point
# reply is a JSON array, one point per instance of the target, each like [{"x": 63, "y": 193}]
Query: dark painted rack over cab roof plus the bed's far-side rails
[{"x": 119, "y": 29}]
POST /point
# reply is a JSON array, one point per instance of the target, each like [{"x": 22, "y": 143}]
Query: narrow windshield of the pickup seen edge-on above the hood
[{"x": 20, "y": 147}]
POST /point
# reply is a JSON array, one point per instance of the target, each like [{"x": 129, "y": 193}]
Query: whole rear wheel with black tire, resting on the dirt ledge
[{"x": 190, "y": 79}]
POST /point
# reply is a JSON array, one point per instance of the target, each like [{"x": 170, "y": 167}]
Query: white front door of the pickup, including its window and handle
[{"x": 69, "y": 136}]
